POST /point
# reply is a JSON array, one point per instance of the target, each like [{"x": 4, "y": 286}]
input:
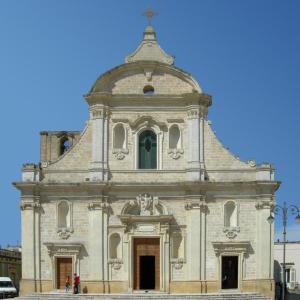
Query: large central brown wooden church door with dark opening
[{"x": 146, "y": 264}]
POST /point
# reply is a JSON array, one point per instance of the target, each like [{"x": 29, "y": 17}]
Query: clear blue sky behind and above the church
[{"x": 244, "y": 53}]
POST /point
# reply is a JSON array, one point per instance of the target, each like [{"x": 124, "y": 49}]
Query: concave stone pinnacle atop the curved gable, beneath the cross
[{"x": 149, "y": 49}]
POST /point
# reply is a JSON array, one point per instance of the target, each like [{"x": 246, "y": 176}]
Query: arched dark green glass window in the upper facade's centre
[{"x": 147, "y": 150}]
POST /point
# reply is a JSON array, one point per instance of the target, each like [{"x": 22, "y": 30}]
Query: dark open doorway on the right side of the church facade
[{"x": 229, "y": 272}]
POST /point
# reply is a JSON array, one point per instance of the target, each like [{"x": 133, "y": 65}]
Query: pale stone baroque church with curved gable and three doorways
[{"x": 146, "y": 198}]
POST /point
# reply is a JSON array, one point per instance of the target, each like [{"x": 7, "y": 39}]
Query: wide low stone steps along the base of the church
[{"x": 145, "y": 296}]
